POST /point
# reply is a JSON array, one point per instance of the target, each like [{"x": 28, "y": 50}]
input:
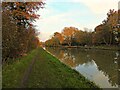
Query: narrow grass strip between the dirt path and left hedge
[{"x": 14, "y": 72}]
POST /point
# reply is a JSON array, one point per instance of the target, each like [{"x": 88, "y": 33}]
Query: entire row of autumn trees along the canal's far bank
[{"x": 106, "y": 33}]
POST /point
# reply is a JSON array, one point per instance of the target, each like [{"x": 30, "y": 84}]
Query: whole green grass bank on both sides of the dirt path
[{"x": 47, "y": 72}]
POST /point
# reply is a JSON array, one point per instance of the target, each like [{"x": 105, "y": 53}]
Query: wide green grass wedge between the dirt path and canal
[{"x": 49, "y": 72}]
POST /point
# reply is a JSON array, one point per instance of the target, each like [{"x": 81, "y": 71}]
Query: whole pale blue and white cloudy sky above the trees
[{"x": 81, "y": 14}]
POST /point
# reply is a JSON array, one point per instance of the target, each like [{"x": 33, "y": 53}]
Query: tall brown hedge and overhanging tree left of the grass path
[{"x": 19, "y": 35}]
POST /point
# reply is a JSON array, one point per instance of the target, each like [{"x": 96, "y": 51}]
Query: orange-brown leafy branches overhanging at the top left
[{"x": 24, "y": 13}]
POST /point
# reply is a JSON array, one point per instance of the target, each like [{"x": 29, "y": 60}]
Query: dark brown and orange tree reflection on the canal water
[{"x": 104, "y": 59}]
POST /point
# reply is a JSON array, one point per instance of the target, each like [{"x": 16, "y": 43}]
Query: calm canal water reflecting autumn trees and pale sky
[{"x": 99, "y": 66}]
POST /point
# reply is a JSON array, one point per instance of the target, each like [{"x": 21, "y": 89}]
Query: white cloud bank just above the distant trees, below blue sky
[{"x": 55, "y": 23}]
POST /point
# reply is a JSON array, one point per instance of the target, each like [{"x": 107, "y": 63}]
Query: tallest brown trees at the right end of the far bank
[{"x": 105, "y": 33}]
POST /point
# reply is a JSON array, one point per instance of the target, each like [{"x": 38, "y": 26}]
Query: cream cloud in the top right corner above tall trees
[{"x": 98, "y": 6}]
